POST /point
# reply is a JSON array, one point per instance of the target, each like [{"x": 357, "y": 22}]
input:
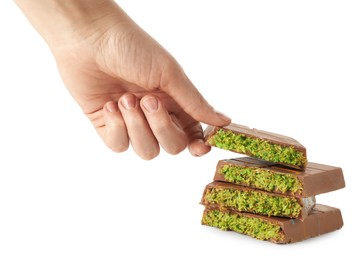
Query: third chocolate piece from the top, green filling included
[{"x": 239, "y": 198}]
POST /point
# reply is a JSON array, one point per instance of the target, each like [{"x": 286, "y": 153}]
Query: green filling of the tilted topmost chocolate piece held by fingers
[{"x": 256, "y": 147}]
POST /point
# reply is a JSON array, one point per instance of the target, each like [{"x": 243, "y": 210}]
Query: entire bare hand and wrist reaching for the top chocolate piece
[{"x": 132, "y": 90}]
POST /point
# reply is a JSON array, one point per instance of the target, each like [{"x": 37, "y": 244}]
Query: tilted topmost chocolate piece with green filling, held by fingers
[{"x": 257, "y": 143}]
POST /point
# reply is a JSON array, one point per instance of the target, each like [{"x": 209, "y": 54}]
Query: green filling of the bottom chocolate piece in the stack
[{"x": 254, "y": 227}]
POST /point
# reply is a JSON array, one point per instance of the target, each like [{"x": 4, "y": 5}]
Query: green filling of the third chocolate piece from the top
[{"x": 253, "y": 201}]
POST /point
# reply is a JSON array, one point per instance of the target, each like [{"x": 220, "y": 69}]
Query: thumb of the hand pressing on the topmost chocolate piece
[{"x": 178, "y": 86}]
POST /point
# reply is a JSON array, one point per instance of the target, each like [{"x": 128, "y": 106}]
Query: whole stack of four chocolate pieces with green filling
[{"x": 269, "y": 194}]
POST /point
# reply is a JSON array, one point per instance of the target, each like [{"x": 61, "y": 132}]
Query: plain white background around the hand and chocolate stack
[{"x": 290, "y": 67}]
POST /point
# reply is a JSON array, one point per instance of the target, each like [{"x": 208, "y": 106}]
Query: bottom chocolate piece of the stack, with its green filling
[{"x": 321, "y": 220}]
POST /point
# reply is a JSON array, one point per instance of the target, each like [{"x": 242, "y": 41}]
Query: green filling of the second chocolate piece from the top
[{"x": 262, "y": 179}]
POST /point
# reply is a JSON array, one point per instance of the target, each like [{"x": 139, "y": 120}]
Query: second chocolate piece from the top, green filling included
[{"x": 252, "y": 172}]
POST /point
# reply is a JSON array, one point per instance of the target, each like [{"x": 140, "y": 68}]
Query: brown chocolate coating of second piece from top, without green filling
[{"x": 316, "y": 178}]
